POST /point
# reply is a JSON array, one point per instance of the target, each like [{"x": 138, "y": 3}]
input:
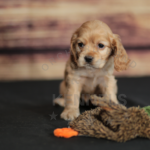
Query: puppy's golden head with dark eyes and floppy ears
[{"x": 93, "y": 44}]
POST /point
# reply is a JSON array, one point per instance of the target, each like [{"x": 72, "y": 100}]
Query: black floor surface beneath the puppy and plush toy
[{"x": 25, "y": 123}]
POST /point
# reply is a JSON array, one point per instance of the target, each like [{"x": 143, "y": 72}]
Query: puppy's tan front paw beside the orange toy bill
[{"x": 70, "y": 113}]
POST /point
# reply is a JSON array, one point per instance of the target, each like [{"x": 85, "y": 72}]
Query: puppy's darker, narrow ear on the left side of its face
[{"x": 73, "y": 53}]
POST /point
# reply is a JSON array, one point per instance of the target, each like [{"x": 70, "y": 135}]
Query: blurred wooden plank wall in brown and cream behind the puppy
[{"x": 36, "y": 33}]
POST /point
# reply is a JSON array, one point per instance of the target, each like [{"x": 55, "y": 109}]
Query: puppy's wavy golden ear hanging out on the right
[{"x": 121, "y": 60}]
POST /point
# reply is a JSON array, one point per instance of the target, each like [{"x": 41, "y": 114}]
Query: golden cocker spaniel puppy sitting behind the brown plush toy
[{"x": 95, "y": 53}]
